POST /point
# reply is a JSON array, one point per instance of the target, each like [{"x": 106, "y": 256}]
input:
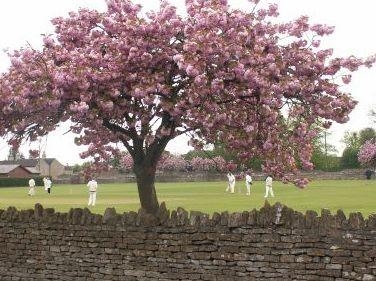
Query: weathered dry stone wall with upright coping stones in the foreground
[{"x": 274, "y": 243}]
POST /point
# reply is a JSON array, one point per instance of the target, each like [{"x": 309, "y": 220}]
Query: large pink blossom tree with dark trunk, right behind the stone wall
[{"x": 217, "y": 74}]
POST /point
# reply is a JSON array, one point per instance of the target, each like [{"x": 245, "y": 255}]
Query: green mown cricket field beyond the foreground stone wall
[{"x": 208, "y": 197}]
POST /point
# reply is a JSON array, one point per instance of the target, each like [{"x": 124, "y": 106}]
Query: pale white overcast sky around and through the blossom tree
[{"x": 23, "y": 21}]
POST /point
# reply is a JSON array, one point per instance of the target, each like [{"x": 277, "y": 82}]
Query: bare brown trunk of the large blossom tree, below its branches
[{"x": 145, "y": 176}]
